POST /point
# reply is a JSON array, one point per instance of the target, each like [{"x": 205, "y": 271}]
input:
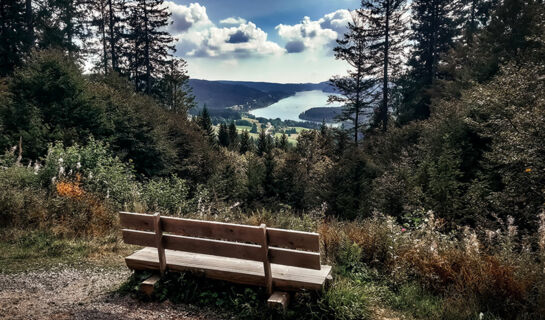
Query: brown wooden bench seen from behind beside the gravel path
[{"x": 277, "y": 259}]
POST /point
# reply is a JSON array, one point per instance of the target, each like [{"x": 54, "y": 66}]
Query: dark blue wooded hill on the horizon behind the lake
[{"x": 246, "y": 95}]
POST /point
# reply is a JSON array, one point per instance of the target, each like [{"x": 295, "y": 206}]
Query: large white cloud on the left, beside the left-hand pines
[{"x": 199, "y": 37}]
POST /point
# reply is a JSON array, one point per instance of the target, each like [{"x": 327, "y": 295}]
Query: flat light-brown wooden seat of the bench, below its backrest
[{"x": 230, "y": 269}]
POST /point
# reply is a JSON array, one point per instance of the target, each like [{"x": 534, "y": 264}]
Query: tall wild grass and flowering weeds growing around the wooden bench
[{"x": 420, "y": 270}]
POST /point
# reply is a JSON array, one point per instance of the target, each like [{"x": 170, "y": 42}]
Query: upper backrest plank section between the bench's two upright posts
[{"x": 211, "y": 230}]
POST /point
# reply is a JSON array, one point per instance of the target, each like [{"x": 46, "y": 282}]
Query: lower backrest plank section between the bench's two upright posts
[{"x": 214, "y": 247}]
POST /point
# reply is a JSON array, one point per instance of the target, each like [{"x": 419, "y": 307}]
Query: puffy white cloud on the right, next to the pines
[{"x": 314, "y": 34}]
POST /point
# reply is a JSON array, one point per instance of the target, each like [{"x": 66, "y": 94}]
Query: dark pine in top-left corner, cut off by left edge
[{"x": 13, "y": 35}]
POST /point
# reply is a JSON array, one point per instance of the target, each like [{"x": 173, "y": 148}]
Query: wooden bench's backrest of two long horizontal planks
[{"x": 270, "y": 245}]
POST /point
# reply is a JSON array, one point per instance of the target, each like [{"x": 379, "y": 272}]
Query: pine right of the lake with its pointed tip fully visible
[{"x": 355, "y": 88}]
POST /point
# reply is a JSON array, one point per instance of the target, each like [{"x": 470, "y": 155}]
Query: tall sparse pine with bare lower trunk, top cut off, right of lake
[{"x": 387, "y": 35}]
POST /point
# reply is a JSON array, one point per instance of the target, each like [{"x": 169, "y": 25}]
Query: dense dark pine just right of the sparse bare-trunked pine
[{"x": 437, "y": 24}]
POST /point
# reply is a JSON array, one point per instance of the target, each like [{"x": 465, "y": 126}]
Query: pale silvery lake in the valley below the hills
[{"x": 289, "y": 108}]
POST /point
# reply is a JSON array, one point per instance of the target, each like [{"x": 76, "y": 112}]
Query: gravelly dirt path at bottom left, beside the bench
[{"x": 81, "y": 293}]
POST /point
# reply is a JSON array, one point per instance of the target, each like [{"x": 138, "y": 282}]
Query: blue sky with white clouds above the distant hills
[{"x": 288, "y": 41}]
